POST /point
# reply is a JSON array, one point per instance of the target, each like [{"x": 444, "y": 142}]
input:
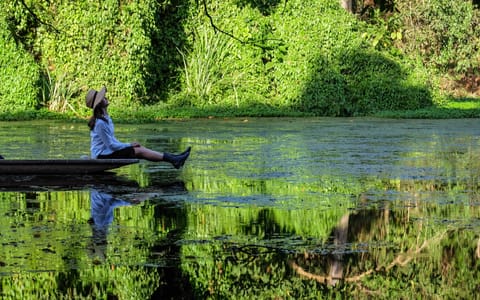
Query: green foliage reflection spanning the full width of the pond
[{"x": 409, "y": 242}]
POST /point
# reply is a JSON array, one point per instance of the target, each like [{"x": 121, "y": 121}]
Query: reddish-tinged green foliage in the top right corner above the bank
[{"x": 445, "y": 33}]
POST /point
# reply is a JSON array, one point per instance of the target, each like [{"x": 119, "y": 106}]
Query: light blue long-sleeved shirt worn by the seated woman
[{"x": 102, "y": 139}]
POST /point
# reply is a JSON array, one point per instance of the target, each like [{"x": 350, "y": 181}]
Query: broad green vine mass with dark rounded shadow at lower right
[{"x": 309, "y": 57}]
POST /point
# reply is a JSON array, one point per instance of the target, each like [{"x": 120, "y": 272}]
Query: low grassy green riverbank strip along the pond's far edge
[{"x": 454, "y": 109}]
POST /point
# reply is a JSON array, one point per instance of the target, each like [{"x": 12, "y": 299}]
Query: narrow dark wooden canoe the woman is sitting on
[{"x": 61, "y": 166}]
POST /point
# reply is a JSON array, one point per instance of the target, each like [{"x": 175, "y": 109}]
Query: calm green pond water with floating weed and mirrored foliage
[{"x": 266, "y": 208}]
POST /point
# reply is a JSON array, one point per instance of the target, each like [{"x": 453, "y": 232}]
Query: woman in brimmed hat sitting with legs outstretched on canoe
[{"x": 105, "y": 145}]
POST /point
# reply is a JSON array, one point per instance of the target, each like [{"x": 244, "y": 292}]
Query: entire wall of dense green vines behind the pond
[{"x": 305, "y": 56}]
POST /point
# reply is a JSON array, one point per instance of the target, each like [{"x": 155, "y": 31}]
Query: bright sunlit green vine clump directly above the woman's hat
[{"x": 98, "y": 44}]
